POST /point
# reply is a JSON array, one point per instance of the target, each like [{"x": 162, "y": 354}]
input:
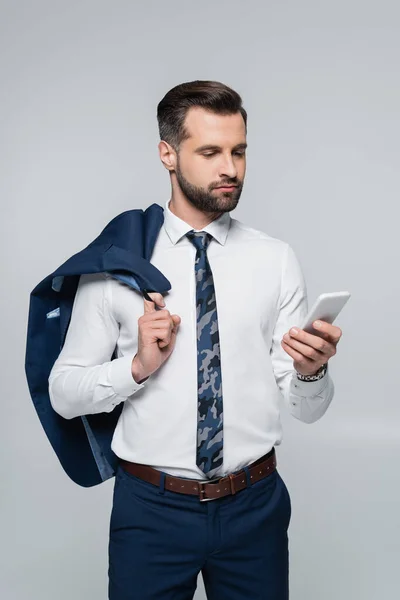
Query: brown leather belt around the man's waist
[{"x": 210, "y": 489}]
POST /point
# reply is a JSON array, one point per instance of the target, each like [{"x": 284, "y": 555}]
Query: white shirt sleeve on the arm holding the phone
[{"x": 306, "y": 400}]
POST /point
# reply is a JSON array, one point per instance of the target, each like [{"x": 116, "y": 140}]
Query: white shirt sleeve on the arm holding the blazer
[{"x": 84, "y": 380}]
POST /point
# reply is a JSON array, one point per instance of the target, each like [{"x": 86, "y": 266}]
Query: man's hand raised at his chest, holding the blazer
[{"x": 157, "y": 330}]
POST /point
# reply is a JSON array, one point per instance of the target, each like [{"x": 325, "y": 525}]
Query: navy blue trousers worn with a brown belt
[{"x": 161, "y": 540}]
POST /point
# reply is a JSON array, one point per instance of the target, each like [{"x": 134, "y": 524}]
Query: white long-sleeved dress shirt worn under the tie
[{"x": 260, "y": 293}]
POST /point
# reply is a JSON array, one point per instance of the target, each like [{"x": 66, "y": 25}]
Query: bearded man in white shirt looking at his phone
[{"x": 201, "y": 374}]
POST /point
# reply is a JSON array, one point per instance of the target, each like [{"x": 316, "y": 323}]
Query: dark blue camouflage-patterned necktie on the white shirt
[{"x": 209, "y": 414}]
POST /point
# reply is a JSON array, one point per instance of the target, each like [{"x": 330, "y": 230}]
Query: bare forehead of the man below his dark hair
[{"x": 211, "y": 128}]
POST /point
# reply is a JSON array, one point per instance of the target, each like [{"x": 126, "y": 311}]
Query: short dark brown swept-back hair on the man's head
[{"x": 210, "y": 95}]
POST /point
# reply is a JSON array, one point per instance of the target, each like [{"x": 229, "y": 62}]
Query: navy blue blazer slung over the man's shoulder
[{"x": 123, "y": 249}]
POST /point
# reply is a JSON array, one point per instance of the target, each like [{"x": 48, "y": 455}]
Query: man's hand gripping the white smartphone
[{"x": 310, "y": 352}]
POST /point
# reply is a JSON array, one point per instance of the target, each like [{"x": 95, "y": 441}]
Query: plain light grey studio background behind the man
[{"x": 80, "y": 82}]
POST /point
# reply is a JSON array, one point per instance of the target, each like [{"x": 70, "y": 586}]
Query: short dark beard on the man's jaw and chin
[{"x": 208, "y": 200}]
